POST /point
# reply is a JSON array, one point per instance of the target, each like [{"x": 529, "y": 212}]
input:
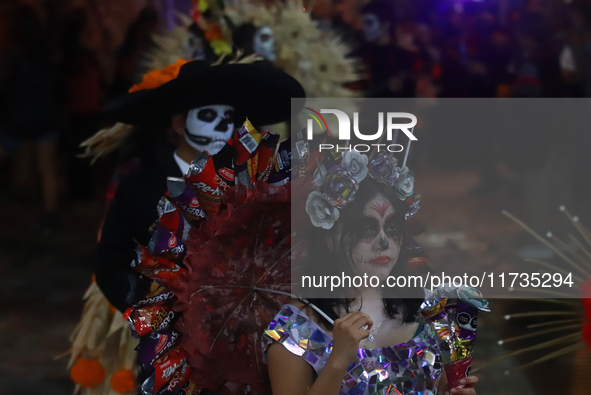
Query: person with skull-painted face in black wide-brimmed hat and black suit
[{"x": 202, "y": 106}]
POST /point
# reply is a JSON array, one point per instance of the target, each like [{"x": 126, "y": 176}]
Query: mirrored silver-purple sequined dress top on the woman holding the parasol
[{"x": 409, "y": 368}]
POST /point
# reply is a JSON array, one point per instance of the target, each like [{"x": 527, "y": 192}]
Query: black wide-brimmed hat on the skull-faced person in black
[{"x": 256, "y": 91}]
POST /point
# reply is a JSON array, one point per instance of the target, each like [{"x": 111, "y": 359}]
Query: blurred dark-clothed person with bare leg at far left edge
[{"x": 29, "y": 103}]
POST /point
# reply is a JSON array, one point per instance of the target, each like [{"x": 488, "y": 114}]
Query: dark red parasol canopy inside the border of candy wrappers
[{"x": 239, "y": 275}]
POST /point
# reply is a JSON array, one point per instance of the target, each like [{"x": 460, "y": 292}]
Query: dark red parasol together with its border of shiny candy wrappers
[{"x": 220, "y": 265}]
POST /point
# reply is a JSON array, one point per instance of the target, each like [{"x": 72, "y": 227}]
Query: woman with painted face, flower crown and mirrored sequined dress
[{"x": 364, "y": 340}]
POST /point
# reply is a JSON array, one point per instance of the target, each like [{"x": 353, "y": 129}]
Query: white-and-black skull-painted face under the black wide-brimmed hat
[{"x": 209, "y": 128}]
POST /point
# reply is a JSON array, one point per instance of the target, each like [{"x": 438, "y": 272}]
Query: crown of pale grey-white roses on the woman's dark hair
[{"x": 338, "y": 185}]
